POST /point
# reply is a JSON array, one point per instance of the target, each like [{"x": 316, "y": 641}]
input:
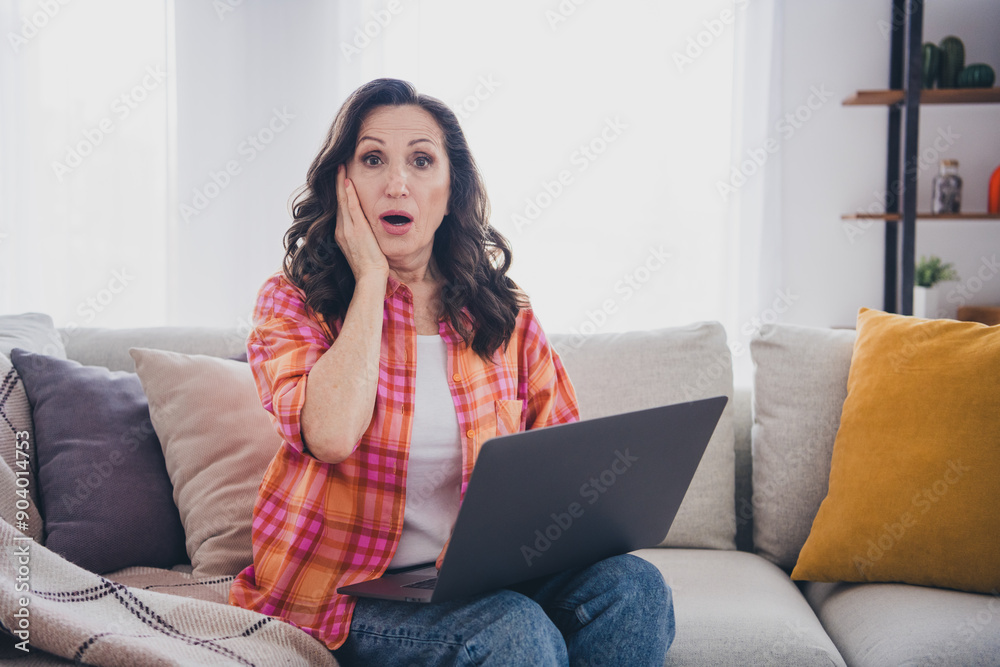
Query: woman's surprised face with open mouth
[{"x": 401, "y": 172}]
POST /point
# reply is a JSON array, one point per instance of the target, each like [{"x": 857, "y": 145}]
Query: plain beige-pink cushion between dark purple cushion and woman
[{"x": 218, "y": 440}]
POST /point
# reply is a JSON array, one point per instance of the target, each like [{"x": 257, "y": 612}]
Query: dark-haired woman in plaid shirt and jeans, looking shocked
[{"x": 386, "y": 358}]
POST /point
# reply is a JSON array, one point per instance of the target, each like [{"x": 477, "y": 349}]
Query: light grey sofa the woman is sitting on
[{"x": 728, "y": 555}]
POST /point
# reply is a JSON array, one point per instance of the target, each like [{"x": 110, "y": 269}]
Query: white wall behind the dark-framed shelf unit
[{"x": 835, "y": 162}]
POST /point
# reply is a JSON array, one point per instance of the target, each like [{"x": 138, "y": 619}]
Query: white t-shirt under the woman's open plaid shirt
[{"x": 434, "y": 468}]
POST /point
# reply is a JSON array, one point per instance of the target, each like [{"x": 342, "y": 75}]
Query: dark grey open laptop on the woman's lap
[{"x": 566, "y": 496}]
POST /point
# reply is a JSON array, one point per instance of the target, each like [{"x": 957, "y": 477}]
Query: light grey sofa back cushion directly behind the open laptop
[{"x": 615, "y": 373}]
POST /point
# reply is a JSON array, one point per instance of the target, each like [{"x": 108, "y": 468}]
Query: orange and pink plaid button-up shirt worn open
[{"x": 318, "y": 526}]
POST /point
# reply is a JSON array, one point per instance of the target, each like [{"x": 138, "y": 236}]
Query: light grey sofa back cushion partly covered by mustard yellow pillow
[{"x": 800, "y": 383}]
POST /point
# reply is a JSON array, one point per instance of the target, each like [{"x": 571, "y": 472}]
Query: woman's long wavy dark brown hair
[{"x": 471, "y": 255}]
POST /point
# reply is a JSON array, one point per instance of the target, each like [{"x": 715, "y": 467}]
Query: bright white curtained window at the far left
[{"x": 83, "y": 172}]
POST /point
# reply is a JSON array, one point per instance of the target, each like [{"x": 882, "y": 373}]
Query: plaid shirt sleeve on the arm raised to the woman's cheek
[{"x": 282, "y": 347}]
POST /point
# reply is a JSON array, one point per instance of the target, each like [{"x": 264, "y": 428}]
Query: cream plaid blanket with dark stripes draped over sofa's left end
[{"x": 64, "y": 614}]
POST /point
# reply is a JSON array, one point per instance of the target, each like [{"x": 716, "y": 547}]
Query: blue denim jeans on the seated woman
[{"x": 618, "y": 611}]
